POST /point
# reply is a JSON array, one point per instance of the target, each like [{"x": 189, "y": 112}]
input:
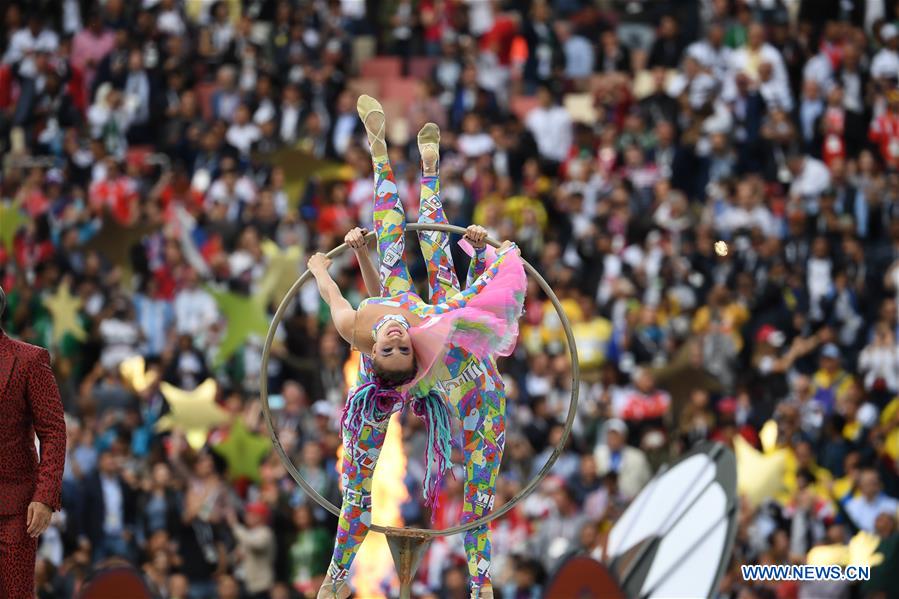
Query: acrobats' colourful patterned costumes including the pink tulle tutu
[{"x": 474, "y": 325}]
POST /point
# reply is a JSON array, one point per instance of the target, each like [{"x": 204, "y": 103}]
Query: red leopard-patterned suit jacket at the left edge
[{"x": 29, "y": 404}]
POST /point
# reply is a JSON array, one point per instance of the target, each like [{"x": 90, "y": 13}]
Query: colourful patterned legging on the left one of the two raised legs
[{"x": 390, "y": 228}]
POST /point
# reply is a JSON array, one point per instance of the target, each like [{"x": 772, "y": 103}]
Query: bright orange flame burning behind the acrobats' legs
[{"x": 373, "y": 567}]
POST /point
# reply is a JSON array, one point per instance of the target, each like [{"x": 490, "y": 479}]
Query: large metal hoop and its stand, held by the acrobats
[{"x": 407, "y": 544}]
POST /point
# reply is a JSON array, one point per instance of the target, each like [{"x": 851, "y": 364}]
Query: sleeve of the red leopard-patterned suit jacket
[{"x": 50, "y": 427}]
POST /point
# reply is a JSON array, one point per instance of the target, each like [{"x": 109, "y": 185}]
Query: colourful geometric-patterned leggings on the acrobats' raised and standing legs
[{"x": 475, "y": 387}]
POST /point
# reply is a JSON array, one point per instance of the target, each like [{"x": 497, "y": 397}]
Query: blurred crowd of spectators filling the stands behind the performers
[{"x": 167, "y": 164}]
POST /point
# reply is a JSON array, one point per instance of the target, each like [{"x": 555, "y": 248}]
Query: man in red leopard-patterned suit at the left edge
[{"x": 30, "y": 489}]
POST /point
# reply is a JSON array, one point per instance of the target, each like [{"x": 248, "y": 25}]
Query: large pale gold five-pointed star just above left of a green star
[{"x": 193, "y": 412}]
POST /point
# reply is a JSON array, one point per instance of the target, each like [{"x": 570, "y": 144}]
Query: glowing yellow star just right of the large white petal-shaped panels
[{"x": 760, "y": 476}]
